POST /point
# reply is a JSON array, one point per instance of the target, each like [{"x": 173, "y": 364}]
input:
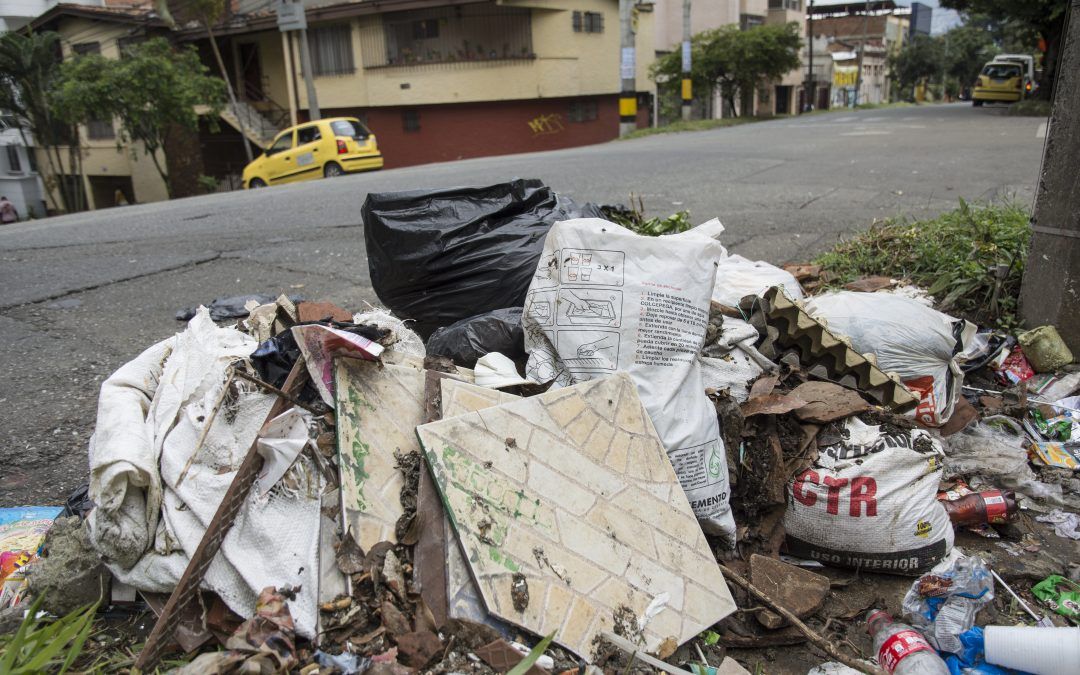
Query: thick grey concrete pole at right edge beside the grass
[{"x": 1051, "y": 290}]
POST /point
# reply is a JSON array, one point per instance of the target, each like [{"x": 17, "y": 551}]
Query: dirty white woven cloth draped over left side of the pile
[{"x": 147, "y": 523}]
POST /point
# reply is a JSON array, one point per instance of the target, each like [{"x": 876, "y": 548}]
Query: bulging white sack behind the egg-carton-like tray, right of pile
[{"x": 915, "y": 342}]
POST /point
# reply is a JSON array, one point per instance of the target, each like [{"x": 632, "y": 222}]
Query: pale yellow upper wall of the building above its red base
[{"x": 566, "y": 64}]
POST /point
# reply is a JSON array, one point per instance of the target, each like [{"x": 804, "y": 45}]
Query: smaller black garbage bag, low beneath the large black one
[{"x": 471, "y": 339}]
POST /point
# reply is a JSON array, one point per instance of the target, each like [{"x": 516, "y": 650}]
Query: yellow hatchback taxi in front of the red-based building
[{"x": 323, "y": 148}]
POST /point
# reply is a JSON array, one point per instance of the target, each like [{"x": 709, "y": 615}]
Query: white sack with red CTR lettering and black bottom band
[{"x": 871, "y": 503}]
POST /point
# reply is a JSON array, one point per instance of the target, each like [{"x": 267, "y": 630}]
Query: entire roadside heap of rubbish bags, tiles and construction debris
[{"x": 568, "y": 448}]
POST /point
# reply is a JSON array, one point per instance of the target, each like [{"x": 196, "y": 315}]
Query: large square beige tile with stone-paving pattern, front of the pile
[{"x": 564, "y": 508}]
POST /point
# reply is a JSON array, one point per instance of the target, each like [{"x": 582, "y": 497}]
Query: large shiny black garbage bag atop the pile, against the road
[{"x": 440, "y": 256}]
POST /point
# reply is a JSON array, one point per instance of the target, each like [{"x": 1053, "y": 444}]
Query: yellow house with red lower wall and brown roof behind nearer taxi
[{"x": 435, "y": 80}]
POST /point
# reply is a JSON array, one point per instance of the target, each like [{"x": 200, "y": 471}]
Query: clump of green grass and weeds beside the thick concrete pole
[{"x": 971, "y": 259}]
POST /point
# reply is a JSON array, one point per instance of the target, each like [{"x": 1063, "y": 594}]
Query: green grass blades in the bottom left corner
[{"x": 40, "y": 646}]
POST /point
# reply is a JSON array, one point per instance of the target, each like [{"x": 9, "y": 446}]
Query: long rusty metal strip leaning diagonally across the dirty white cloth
[{"x": 187, "y": 589}]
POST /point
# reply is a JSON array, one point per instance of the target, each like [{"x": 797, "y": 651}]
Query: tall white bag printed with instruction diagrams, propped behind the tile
[{"x": 606, "y": 300}]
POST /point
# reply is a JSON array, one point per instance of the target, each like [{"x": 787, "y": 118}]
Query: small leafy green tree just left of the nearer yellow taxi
[{"x": 151, "y": 89}]
